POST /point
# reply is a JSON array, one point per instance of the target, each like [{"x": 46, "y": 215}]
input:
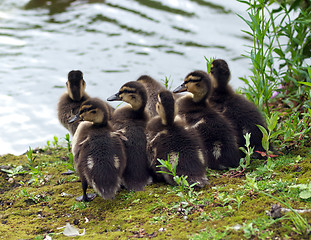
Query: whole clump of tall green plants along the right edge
[{"x": 279, "y": 52}]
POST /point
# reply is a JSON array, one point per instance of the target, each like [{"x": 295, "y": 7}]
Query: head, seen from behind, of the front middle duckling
[{"x": 166, "y": 107}]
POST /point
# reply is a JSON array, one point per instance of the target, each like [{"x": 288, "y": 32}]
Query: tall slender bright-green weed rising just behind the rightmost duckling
[{"x": 263, "y": 81}]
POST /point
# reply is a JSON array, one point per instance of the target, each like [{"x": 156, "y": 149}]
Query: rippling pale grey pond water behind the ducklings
[{"x": 112, "y": 42}]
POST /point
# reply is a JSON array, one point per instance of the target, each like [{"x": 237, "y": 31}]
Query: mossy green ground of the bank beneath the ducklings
[{"x": 35, "y": 205}]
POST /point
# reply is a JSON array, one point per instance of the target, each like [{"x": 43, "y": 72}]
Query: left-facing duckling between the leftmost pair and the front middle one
[{"x": 131, "y": 121}]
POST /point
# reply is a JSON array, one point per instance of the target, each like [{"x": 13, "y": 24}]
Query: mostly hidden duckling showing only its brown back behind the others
[{"x": 153, "y": 88}]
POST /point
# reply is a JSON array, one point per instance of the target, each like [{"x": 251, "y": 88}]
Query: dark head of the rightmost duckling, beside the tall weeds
[{"x": 220, "y": 73}]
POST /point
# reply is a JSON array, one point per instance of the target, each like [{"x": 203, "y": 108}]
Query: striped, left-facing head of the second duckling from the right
[{"x": 198, "y": 83}]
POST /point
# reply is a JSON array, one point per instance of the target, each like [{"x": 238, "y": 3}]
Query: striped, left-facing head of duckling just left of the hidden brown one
[{"x": 133, "y": 93}]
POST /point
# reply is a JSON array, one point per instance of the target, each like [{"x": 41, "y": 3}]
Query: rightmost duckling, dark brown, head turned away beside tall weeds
[{"x": 242, "y": 113}]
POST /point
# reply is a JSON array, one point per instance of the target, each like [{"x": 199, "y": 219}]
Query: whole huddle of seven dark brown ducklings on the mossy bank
[{"x": 120, "y": 147}]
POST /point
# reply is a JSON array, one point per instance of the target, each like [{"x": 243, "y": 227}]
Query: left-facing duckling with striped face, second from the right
[{"x": 217, "y": 133}]
